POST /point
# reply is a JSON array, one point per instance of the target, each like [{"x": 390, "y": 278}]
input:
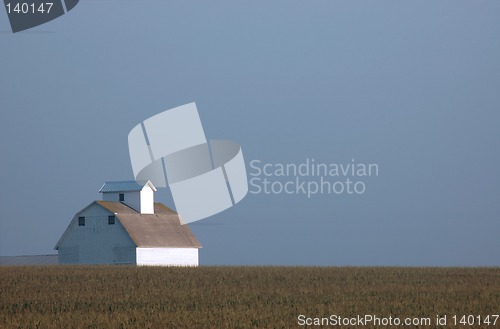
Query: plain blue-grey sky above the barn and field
[{"x": 411, "y": 86}]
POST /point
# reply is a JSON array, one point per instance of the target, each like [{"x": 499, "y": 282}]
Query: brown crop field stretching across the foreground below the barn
[{"x": 240, "y": 297}]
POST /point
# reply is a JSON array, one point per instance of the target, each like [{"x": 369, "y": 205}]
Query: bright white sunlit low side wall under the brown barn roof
[{"x": 167, "y": 256}]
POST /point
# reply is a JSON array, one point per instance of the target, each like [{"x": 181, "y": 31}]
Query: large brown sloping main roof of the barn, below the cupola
[{"x": 161, "y": 229}]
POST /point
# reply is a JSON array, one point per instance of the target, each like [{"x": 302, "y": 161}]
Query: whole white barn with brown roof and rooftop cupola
[{"x": 128, "y": 227}]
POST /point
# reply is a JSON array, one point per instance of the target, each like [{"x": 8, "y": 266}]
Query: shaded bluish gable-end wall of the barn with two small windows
[{"x": 97, "y": 242}]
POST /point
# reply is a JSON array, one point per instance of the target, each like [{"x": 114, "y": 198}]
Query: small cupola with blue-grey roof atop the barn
[{"x": 137, "y": 195}]
